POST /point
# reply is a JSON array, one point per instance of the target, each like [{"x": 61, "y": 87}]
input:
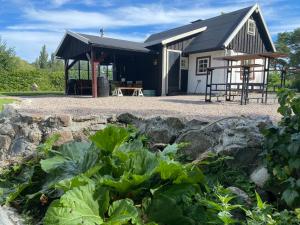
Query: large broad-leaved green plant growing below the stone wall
[{"x": 114, "y": 179}]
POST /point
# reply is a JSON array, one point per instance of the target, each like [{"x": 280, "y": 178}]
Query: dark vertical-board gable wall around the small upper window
[{"x": 246, "y": 43}]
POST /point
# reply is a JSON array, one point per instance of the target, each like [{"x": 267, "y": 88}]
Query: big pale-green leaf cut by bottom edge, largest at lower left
[{"x": 77, "y": 206}]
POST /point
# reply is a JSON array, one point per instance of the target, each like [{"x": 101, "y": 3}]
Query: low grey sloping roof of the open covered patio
[{"x": 115, "y": 43}]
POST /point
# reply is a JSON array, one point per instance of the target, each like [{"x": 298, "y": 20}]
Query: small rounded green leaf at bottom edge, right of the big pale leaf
[{"x": 123, "y": 212}]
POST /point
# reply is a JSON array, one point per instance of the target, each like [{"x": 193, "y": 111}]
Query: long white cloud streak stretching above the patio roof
[{"x": 130, "y": 16}]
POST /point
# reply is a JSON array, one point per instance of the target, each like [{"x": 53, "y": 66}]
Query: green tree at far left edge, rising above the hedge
[{"x": 7, "y": 55}]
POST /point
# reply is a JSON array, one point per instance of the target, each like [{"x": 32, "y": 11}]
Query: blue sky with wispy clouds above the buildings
[{"x": 28, "y": 24}]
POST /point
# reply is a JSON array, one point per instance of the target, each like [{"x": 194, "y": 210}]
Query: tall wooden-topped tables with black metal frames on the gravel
[{"x": 245, "y": 87}]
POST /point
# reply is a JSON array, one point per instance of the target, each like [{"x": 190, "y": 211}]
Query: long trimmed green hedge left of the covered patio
[{"x": 23, "y": 80}]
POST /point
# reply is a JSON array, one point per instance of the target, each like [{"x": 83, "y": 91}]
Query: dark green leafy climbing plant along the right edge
[{"x": 282, "y": 149}]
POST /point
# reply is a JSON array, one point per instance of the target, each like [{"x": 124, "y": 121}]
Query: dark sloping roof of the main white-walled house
[{"x": 218, "y": 30}]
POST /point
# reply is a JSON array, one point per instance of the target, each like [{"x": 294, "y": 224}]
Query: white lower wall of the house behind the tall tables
[{"x": 219, "y": 75}]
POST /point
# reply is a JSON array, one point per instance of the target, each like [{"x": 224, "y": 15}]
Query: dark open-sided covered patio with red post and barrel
[{"x": 96, "y": 66}]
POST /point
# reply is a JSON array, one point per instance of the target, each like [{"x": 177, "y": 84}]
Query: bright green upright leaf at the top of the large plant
[{"x": 110, "y": 138}]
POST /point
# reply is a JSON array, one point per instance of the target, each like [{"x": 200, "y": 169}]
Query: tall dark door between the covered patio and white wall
[{"x": 173, "y": 71}]
